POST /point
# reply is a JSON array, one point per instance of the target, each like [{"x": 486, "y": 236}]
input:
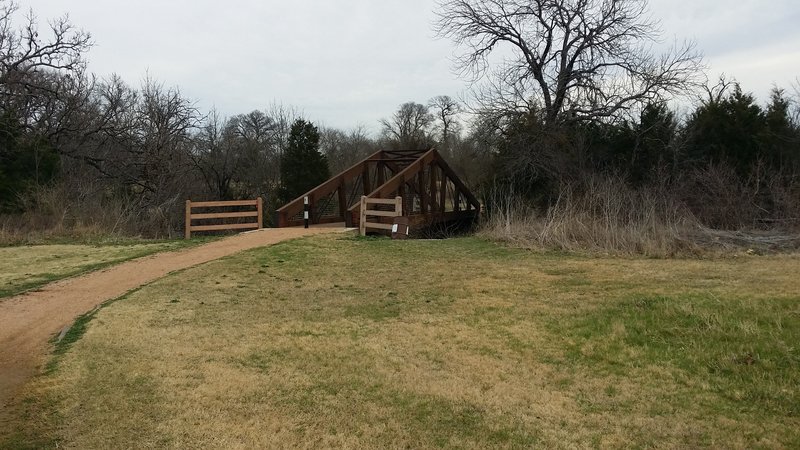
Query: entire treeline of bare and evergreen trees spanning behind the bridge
[{"x": 77, "y": 151}]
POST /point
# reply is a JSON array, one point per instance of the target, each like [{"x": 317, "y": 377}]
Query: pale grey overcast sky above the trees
[{"x": 350, "y": 62}]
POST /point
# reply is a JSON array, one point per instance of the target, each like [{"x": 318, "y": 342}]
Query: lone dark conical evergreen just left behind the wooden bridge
[{"x": 303, "y": 167}]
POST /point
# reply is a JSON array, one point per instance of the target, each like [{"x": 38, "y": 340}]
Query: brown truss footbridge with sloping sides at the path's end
[{"x": 431, "y": 192}]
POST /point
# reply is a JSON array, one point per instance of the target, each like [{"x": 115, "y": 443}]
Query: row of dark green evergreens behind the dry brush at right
[{"x": 731, "y": 162}]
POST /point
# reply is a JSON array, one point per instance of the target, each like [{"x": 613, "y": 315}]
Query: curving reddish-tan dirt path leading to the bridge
[{"x": 29, "y": 320}]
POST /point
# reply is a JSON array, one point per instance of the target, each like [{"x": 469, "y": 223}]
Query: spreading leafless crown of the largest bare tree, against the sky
[{"x": 570, "y": 59}]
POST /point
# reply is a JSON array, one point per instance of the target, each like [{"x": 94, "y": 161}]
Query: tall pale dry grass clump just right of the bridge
[{"x": 603, "y": 213}]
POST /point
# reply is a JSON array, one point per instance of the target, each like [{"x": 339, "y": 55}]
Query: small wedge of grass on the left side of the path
[{"x": 28, "y": 267}]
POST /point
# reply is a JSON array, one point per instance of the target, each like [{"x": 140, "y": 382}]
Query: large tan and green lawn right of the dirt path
[{"x": 366, "y": 343}]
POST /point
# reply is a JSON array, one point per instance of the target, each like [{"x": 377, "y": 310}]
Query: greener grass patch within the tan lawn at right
[{"x": 742, "y": 349}]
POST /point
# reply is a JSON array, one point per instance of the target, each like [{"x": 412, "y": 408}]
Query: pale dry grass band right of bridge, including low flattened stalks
[{"x": 606, "y": 216}]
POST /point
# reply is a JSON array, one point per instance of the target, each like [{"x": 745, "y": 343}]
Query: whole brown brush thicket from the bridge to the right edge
[{"x": 604, "y": 213}]
